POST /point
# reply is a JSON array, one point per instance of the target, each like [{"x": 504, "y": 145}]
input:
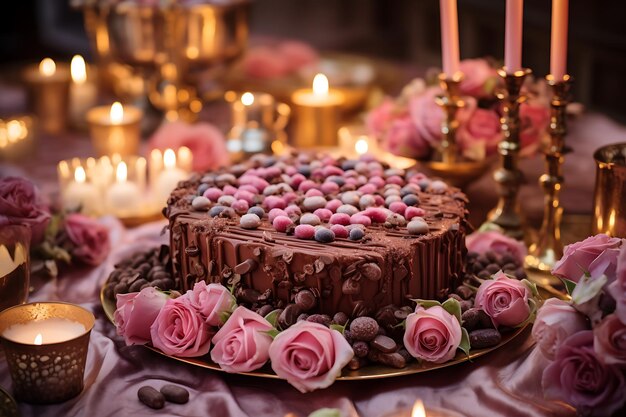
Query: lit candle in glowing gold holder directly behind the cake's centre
[{"x": 317, "y": 114}]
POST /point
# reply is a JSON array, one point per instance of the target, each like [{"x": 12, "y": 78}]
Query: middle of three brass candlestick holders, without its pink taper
[{"x": 509, "y": 177}]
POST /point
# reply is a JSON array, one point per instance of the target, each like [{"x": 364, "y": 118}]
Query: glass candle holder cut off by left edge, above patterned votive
[{"x": 14, "y": 265}]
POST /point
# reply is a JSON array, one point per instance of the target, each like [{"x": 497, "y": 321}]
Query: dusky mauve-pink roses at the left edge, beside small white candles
[{"x": 55, "y": 237}]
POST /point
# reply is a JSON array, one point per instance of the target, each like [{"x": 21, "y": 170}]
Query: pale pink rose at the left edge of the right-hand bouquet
[{"x": 556, "y": 321}]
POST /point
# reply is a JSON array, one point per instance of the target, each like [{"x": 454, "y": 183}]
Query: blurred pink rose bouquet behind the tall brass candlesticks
[{"x": 410, "y": 125}]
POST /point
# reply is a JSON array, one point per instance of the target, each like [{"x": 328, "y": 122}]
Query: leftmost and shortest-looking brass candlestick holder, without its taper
[{"x": 450, "y": 102}]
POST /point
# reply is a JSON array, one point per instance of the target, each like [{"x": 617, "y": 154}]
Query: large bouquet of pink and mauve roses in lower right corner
[{"x": 585, "y": 339}]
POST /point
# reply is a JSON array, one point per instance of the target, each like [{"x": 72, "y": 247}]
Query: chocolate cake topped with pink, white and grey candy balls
[{"x": 310, "y": 233}]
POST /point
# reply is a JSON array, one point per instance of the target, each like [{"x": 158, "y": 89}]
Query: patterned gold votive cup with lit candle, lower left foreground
[{"x": 46, "y": 345}]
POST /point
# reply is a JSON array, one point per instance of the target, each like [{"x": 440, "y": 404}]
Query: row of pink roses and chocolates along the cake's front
[{"x": 311, "y": 353}]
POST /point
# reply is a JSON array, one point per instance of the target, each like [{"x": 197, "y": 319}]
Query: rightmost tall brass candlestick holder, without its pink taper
[{"x": 548, "y": 248}]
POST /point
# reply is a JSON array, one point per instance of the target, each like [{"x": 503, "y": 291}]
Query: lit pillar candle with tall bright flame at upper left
[{"x": 83, "y": 92}]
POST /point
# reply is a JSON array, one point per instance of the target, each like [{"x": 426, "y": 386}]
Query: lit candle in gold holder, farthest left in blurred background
[{"x": 48, "y": 88}]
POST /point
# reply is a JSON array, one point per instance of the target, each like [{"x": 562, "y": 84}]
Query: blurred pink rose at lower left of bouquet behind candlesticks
[{"x": 403, "y": 139}]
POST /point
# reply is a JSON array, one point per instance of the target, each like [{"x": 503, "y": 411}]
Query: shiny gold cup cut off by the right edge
[{"x": 610, "y": 191}]
